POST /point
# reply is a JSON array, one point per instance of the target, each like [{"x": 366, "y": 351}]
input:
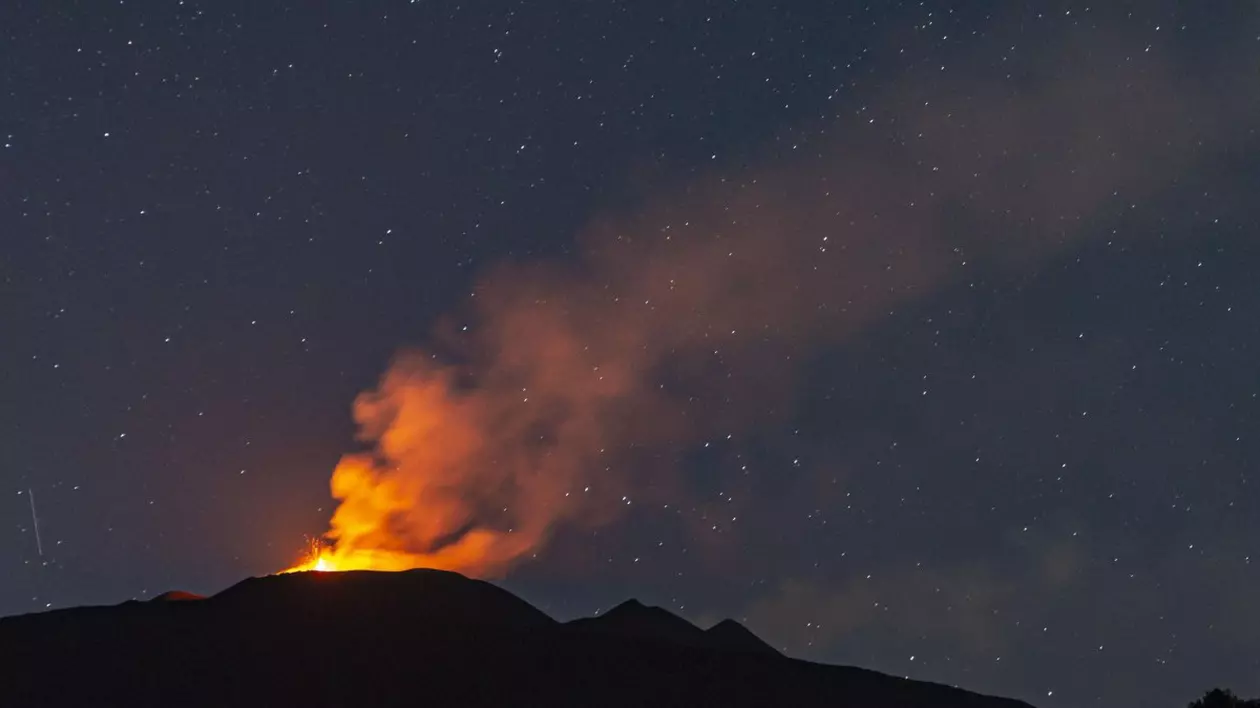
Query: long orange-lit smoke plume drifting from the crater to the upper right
[{"x": 478, "y": 455}]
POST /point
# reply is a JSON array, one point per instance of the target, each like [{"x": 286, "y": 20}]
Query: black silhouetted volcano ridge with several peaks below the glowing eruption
[{"x": 414, "y": 639}]
